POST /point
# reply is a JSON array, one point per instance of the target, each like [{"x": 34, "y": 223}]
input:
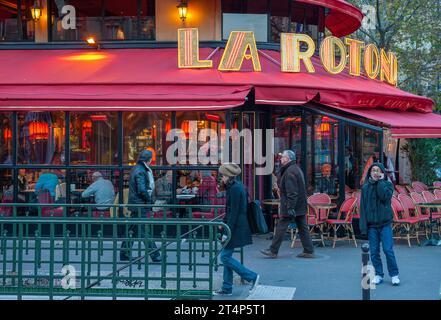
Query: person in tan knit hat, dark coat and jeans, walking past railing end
[{"x": 236, "y": 219}]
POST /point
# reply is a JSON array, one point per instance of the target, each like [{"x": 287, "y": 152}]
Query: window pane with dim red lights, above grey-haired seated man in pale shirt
[{"x": 94, "y": 138}]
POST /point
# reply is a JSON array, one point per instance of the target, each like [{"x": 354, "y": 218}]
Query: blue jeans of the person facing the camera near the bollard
[{"x": 382, "y": 235}]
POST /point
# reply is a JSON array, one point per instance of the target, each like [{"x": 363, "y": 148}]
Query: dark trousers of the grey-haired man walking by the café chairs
[{"x": 282, "y": 227}]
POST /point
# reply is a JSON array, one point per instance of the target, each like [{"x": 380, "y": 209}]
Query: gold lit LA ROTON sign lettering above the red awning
[{"x": 333, "y": 55}]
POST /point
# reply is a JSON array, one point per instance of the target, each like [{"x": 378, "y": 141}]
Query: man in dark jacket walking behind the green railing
[{"x": 141, "y": 187}]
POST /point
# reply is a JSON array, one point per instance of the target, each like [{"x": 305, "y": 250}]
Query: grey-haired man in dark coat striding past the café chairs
[{"x": 292, "y": 206}]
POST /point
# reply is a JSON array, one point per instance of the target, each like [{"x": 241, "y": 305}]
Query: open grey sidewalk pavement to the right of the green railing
[{"x": 336, "y": 273}]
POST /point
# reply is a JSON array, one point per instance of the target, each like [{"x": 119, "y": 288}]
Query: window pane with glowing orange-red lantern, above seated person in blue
[{"x": 41, "y": 137}]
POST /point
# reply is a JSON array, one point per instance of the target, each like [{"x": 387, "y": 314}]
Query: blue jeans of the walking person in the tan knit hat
[{"x": 230, "y": 265}]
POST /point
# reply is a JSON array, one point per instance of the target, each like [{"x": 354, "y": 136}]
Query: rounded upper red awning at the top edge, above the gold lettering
[{"x": 343, "y": 19}]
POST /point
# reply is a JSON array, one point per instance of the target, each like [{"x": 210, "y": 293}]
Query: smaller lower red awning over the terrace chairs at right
[{"x": 403, "y": 124}]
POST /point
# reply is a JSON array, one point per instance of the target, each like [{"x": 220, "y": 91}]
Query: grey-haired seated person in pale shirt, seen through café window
[{"x": 102, "y": 190}]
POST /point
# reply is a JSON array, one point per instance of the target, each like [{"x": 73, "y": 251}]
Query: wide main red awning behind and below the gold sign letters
[{"x": 149, "y": 79}]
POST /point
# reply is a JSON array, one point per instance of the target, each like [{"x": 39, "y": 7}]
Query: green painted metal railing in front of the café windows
[{"x": 72, "y": 251}]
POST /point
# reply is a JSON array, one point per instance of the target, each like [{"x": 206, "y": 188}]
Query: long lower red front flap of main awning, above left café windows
[{"x": 121, "y": 97}]
